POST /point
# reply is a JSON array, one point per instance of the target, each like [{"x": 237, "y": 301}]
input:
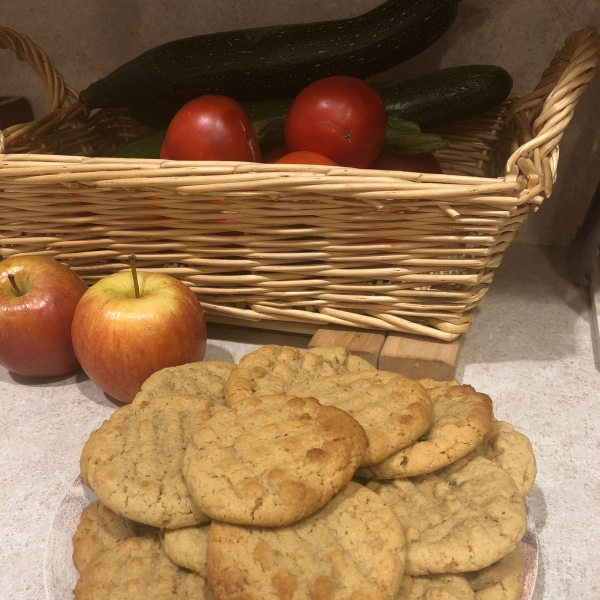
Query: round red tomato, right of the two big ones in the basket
[{"x": 340, "y": 117}]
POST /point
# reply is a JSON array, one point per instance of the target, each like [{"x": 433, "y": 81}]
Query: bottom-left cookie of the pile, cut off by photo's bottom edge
[{"x": 138, "y": 569}]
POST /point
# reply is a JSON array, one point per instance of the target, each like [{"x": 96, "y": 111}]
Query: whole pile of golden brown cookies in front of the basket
[{"x": 303, "y": 474}]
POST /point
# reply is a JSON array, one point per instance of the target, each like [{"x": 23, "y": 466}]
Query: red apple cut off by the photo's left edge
[{"x": 36, "y": 310}]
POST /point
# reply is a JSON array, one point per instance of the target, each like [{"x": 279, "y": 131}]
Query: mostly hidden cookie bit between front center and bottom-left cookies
[{"x": 187, "y": 547}]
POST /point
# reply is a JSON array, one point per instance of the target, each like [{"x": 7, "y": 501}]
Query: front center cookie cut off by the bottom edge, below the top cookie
[{"x": 351, "y": 549}]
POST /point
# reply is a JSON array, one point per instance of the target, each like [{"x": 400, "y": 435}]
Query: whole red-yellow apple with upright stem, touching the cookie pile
[{"x": 121, "y": 339}]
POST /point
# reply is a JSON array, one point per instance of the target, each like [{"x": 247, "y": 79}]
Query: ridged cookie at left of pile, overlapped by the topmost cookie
[{"x": 133, "y": 461}]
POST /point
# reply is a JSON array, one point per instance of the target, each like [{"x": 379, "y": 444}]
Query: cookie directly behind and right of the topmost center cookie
[{"x": 393, "y": 410}]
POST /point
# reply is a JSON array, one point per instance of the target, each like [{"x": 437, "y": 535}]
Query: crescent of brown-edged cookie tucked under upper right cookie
[{"x": 461, "y": 419}]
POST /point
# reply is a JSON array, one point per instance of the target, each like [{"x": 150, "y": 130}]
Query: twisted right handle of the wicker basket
[{"x": 542, "y": 115}]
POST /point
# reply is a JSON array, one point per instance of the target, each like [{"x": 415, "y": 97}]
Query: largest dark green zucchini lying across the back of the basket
[{"x": 273, "y": 62}]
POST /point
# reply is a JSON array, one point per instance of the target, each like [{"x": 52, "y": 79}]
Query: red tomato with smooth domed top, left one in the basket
[{"x": 211, "y": 127}]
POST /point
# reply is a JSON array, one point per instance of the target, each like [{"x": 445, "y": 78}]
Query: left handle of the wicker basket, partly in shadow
[{"x": 25, "y": 50}]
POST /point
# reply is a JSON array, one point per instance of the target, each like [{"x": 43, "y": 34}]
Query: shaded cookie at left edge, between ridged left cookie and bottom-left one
[{"x": 100, "y": 529}]
